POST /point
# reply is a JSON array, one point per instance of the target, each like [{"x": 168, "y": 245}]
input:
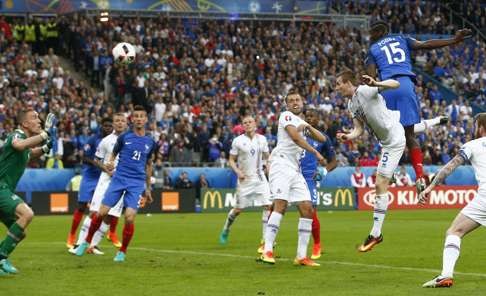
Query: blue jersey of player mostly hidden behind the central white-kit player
[{"x": 308, "y": 163}]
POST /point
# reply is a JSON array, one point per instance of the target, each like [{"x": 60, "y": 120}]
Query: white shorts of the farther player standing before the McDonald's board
[{"x": 253, "y": 192}]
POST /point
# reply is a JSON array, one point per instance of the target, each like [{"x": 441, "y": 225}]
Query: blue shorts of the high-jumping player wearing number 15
[{"x": 404, "y": 99}]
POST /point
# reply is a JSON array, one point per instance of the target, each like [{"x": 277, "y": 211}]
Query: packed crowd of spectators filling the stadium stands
[{"x": 198, "y": 77}]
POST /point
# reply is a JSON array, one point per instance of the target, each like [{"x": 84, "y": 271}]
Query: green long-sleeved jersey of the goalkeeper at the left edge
[{"x": 13, "y": 162}]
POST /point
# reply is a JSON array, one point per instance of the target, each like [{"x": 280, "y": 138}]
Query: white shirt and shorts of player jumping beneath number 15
[{"x": 368, "y": 106}]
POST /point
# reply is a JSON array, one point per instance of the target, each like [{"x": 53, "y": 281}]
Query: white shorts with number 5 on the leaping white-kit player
[{"x": 390, "y": 156}]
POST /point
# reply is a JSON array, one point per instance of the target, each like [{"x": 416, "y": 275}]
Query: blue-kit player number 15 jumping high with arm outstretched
[{"x": 391, "y": 55}]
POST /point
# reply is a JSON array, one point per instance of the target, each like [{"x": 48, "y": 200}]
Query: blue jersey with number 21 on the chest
[{"x": 134, "y": 153}]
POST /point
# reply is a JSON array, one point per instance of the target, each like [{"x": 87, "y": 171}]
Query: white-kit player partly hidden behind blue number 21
[{"x": 103, "y": 153}]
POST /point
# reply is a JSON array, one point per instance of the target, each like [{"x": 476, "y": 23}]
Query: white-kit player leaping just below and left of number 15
[{"x": 368, "y": 107}]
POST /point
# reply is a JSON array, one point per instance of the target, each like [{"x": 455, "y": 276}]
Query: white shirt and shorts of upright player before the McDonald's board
[{"x": 254, "y": 189}]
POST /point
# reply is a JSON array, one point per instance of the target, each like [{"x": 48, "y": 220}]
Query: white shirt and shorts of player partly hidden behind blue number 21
[{"x": 104, "y": 150}]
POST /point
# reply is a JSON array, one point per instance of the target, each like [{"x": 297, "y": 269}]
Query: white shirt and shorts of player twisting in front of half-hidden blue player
[{"x": 286, "y": 180}]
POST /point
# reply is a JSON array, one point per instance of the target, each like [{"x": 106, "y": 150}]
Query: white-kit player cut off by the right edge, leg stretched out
[{"x": 471, "y": 216}]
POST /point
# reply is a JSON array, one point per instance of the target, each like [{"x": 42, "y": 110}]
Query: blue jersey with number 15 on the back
[{"x": 391, "y": 55}]
